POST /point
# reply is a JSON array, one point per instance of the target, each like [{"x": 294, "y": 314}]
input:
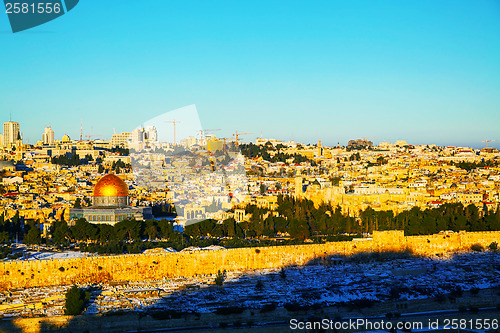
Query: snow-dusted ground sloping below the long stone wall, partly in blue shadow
[{"x": 317, "y": 285}]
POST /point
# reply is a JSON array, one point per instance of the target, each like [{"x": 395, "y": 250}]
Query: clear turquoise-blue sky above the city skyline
[{"x": 423, "y": 71}]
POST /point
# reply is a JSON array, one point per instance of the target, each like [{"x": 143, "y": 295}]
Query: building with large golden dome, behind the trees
[{"x": 110, "y": 203}]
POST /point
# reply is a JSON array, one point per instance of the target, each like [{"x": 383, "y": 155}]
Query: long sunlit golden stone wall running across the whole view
[{"x": 139, "y": 267}]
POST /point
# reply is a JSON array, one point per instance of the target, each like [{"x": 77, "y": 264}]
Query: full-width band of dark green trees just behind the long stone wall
[{"x": 293, "y": 222}]
